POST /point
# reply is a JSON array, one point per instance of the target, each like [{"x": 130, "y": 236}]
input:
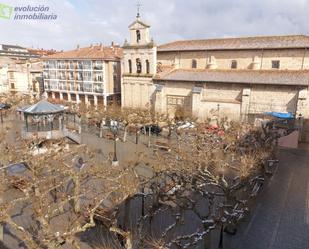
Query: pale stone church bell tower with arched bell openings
[{"x": 139, "y": 66}]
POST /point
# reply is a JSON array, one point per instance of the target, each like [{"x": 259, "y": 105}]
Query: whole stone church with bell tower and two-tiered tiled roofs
[{"x": 238, "y": 78}]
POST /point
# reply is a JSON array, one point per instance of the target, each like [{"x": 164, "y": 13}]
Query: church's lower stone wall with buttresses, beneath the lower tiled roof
[{"x": 231, "y": 100}]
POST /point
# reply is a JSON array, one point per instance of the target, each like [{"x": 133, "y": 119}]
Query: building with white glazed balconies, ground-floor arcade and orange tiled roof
[{"x": 90, "y": 75}]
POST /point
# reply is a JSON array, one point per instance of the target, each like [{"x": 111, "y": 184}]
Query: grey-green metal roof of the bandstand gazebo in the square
[{"x": 42, "y": 107}]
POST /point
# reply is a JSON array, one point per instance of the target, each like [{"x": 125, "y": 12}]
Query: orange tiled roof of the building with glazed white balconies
[{"x": 92, "y": 52}]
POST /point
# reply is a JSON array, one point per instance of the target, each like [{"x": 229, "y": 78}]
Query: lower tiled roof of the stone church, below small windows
[{"x": 275, "y": 77}]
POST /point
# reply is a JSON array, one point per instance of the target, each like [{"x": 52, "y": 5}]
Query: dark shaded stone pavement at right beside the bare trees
[{"x": 280, "y": 219}]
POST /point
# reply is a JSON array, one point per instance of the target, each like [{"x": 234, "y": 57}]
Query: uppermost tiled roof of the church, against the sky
[{"x": 258, "y": 42}]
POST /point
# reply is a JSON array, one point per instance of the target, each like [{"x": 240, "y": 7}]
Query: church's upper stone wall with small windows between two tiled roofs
[{"x": 293, "y": 59}]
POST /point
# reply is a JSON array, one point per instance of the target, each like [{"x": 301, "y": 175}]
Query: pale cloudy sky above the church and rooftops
[{"x": 92, "y": 21}]
